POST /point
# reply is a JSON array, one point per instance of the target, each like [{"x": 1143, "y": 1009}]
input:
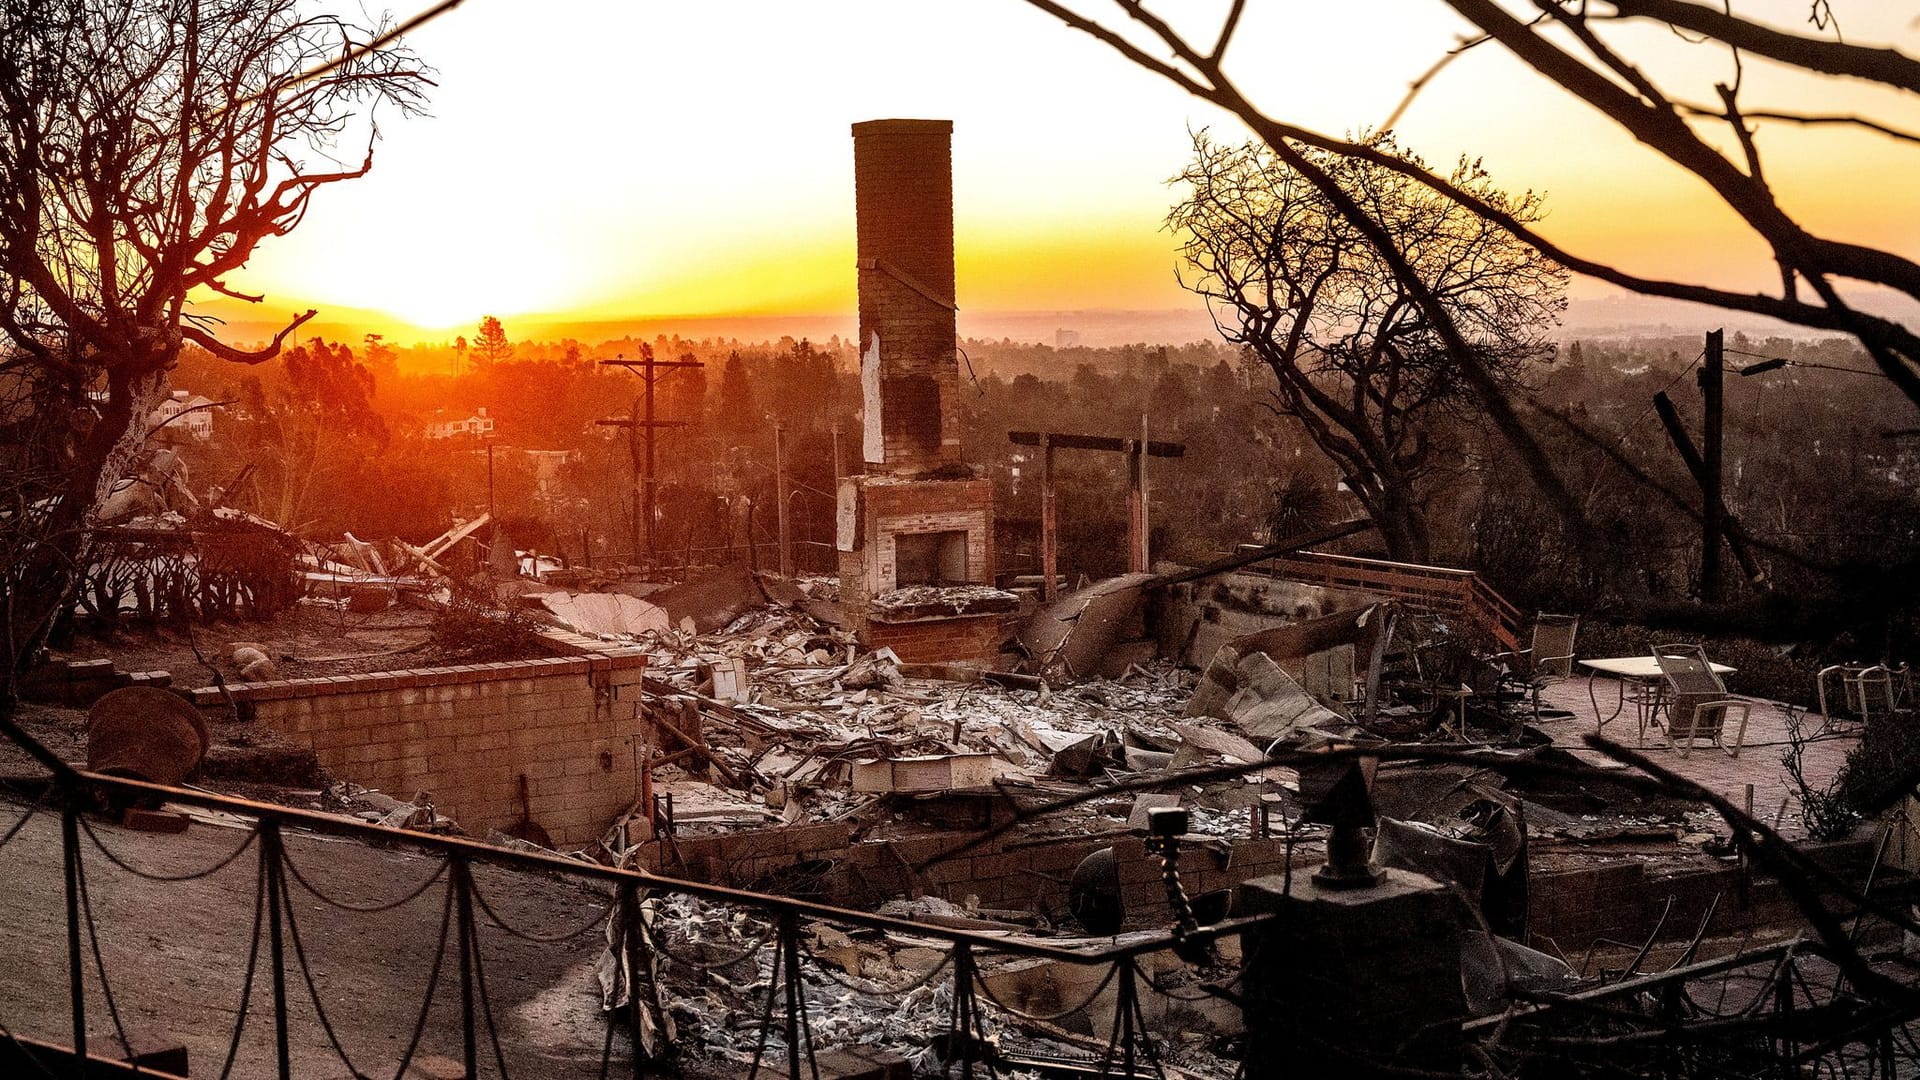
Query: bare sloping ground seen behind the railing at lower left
[{"x": 178, "y": 952}]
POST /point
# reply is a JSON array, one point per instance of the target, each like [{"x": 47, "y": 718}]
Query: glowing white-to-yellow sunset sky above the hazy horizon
[{"x": 617, "y": 160}]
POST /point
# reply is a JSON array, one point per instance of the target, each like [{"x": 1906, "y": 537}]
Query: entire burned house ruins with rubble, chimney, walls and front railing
[{"x": 1287, "y": 812}]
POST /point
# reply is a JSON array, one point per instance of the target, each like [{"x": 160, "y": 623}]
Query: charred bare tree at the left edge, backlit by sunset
[{"x": 149, "y": 149}]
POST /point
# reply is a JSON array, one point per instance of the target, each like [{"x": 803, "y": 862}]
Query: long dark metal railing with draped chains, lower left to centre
[{"x": 279, "y": 954}]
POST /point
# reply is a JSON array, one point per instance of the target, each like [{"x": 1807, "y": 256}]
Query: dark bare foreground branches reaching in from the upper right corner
[{"x": 1570, "y": 43}]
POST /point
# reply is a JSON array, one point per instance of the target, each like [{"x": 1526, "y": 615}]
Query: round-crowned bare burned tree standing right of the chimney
[{"x": 1356, "y": 358}]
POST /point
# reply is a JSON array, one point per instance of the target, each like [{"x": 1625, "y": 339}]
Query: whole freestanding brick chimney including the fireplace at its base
[{"x": 915, "y": 533}]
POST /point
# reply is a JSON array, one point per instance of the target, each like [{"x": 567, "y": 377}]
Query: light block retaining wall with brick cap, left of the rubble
[{"x": 469, "y": 733}]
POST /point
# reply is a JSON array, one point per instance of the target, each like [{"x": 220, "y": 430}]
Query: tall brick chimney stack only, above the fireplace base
[{"x": 909, "y": 374}]
